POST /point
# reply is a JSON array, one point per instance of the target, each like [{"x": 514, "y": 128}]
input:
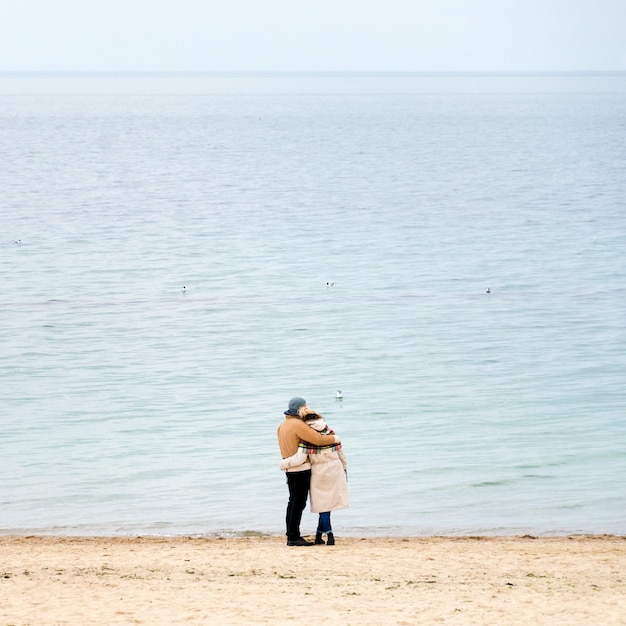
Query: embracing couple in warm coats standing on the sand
[{"x": 313, "y": 460}]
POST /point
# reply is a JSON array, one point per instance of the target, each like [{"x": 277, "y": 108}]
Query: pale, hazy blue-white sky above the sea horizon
[{"x": 313, "y": 35}]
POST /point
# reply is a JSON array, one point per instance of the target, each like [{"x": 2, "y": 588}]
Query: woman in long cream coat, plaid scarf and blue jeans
[{"x": 329, "y": 483}]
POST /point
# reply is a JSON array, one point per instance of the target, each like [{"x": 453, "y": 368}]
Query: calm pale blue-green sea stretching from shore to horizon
[{"x": 180, "y": 254}]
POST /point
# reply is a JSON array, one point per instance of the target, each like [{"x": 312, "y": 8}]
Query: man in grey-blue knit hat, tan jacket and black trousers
[{"x": 290, "y": 433}]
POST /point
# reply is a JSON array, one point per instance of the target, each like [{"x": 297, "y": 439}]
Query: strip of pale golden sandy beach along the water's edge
[{"x": 259, "y": 580}]
